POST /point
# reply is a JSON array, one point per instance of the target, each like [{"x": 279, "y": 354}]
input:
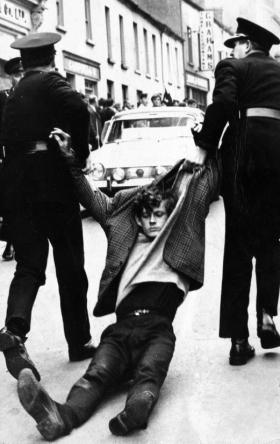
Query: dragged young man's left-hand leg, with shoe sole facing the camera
[{"x": 54, "y": 419}]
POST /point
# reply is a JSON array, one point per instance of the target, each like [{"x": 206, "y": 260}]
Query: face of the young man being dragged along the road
[{"x": 152, "y": 222}]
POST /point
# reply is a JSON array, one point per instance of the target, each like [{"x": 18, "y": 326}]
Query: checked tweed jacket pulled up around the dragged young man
[{"x": 185, "y": 246}]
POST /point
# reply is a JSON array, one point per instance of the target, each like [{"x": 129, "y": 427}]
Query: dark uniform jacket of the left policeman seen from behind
[{"x": 40, "y": 102}]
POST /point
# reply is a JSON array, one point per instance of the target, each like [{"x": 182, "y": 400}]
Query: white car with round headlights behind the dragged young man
[{"x": 139, "y": 145}]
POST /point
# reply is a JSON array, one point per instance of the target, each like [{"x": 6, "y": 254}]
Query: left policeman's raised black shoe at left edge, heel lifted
[{"x": 15, "y": 354}]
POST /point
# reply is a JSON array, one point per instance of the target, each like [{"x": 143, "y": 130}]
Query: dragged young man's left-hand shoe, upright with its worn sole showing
[{"x": 37, "y": 402}]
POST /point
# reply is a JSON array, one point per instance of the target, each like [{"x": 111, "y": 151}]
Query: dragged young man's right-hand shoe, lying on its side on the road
[{"x": 134, "y": 416}]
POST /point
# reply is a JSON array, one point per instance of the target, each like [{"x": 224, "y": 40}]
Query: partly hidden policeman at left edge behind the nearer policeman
[{"x": 13, "y": 68}]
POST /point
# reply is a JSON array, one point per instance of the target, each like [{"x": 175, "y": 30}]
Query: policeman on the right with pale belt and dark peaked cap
[{"x": 247, "y": 96}]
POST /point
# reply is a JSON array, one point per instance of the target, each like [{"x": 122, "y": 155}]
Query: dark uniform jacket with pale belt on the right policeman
[{"x": 250, "y": 147}]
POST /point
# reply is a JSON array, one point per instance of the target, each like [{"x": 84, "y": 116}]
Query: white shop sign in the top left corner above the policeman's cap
[{"x": 13, "y": 13}]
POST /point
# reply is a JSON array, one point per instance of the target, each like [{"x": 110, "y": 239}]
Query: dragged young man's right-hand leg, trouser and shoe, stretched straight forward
[{"x": 150, "y": 374}]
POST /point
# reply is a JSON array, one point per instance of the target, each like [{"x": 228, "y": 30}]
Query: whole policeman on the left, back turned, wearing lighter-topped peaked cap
[{"x": 39, "y": 202}]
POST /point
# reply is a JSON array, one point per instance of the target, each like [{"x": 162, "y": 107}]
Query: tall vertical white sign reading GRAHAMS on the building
[{"x": 207, "y": 40}]
